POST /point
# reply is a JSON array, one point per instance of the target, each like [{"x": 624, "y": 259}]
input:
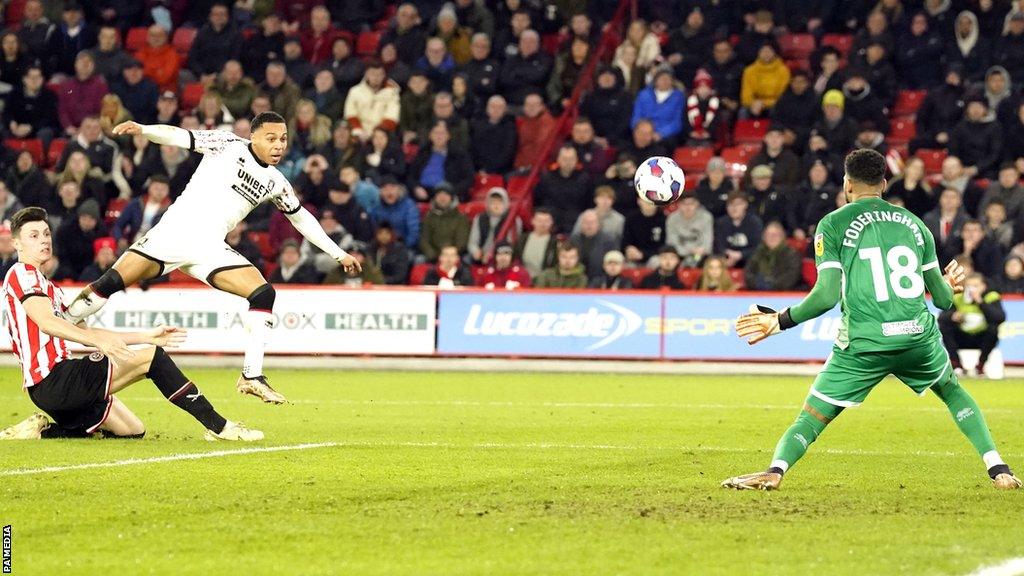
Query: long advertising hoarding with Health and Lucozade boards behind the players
[{"x": 407, "y": 321}]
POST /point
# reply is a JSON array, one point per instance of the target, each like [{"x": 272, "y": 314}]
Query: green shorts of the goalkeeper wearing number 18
[{"x": 848, "y": 378}]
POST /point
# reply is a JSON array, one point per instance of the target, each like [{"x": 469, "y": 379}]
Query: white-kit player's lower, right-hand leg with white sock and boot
[{"x": 246, "y": 281}]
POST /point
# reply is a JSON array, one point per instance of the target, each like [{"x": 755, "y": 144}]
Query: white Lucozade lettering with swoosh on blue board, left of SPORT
[{"x": 609, "y": 325}]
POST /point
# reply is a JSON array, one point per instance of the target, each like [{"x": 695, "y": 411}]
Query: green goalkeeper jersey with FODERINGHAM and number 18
[{"x": 883, "y": 253}]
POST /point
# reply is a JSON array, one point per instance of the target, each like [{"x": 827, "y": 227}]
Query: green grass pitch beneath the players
[{"x": 520, "y": 474}]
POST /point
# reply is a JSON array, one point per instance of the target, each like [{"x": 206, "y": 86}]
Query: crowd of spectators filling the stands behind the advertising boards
[{"x": 414, "y": 130}]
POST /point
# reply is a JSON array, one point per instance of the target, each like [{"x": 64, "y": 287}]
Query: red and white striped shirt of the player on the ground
[{"x": 36, "y": 351}]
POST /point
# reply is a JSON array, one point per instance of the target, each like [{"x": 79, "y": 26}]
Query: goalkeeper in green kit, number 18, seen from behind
[{"x": 877, "y": 260}]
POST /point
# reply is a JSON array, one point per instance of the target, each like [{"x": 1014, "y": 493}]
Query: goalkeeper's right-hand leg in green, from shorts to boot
[{"x": 928, "y": 367}]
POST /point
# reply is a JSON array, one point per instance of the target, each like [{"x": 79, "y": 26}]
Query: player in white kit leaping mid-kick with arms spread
[{"x": 235, "y": 177}]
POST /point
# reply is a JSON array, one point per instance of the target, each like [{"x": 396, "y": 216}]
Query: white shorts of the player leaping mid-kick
[{"x": 200, "y": 259}]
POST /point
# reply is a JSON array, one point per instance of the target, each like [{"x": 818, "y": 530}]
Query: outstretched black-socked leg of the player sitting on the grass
[{"x": 154, "y": 363}]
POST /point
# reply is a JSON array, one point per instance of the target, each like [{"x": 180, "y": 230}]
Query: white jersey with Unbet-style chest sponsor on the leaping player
[{"x": 230, "y": 183}]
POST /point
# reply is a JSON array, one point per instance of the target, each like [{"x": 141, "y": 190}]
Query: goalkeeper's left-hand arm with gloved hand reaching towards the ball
[{"x": 763, "y": 322}]
